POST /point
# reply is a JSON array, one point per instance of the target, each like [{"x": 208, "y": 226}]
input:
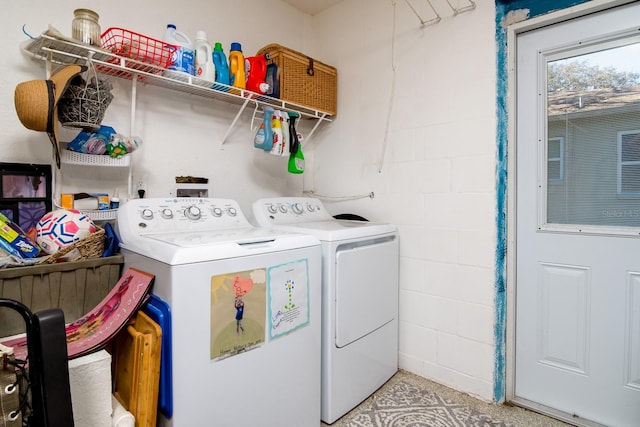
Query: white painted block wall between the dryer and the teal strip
[{"x": 434, "y": 178}]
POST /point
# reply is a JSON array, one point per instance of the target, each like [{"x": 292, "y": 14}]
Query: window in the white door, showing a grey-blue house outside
[{"x": 593, "y": 142}]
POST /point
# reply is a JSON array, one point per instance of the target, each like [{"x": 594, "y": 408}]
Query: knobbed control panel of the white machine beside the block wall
[{"x": 289, "y": 210}]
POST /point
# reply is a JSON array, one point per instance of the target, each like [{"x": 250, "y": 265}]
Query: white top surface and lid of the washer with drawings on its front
[{"x": 190, "y": 247}]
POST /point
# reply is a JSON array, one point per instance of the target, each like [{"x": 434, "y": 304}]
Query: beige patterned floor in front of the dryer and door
[{"x": 408, "y": 399}]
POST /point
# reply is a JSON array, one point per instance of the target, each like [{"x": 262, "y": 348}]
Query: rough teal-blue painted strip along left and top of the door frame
[{"x": 503, "y": 7}]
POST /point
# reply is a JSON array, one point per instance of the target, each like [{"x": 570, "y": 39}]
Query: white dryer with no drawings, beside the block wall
[{"x": 359, "y": 298}]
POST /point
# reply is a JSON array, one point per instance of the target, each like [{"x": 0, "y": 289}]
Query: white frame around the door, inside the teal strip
[{"x": 513, "y": 30}]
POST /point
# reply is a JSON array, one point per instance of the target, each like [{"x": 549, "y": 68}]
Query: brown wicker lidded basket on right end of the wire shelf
[{"x": 303, "y": 80}]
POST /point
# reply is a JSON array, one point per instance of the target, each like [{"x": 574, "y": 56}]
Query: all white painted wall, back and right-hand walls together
[{"x": 433, "y": 175}]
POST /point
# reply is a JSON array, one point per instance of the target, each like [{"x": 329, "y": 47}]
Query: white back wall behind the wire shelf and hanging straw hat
[{"x": 180, "y": 133}]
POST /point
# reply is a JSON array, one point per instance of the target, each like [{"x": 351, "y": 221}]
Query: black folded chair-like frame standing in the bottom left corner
[{"x": 48, "y": 366}]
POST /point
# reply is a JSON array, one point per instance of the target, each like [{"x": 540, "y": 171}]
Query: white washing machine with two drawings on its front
[{"x": 245, "y": 310}]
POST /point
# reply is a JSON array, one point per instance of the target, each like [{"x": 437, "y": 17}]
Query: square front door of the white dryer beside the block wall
[{"x": 366, "y": 287}]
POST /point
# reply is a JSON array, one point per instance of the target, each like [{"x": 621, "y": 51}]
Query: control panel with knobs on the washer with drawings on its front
[{"x": 182, "y": 214}]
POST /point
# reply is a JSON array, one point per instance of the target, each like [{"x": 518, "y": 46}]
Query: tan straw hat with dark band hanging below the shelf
[{"x": 36, "y": 103}]
